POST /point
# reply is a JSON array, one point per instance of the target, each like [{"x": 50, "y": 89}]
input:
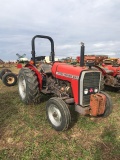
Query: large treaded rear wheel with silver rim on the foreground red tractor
[{"x": 28, "y": 86}]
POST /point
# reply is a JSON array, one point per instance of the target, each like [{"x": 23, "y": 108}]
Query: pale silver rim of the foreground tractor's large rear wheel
[{"x": 22, "y": 87}]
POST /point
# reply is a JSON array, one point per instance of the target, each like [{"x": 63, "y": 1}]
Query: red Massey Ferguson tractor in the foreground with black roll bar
[{"x": 77, "y": 86}]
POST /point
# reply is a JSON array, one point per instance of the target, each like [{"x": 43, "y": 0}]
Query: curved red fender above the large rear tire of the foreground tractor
[{"x": 38, "y": 74}]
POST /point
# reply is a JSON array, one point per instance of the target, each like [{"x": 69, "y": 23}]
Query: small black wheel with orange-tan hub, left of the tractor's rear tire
[{"x": 9, "y": 79}]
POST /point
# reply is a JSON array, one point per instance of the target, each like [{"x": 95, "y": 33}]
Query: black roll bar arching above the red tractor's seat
[{"x": 33, "y": 46}]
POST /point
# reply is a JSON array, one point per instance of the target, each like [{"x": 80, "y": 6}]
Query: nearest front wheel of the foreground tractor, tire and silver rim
[{"x": 58, "y": 114}]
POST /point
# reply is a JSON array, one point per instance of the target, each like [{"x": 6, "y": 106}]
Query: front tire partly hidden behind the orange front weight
[{"x": 108, "y": 106}]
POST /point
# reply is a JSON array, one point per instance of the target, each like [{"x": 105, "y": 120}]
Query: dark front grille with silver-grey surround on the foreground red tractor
[{"x": 89, "y": 81}]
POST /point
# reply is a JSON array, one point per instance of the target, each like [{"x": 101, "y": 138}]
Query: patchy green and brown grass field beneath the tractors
[{"x": 25, "y": 133}]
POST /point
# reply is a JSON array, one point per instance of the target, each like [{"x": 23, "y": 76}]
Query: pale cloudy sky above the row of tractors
[{"x": 68, "y": 22}]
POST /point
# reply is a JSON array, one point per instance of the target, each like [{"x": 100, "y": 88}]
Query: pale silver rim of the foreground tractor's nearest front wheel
[{"x": 54, "y": 115}]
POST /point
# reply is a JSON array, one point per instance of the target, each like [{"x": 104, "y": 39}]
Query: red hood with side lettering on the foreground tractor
[{"x": 66, "y": 71}]
